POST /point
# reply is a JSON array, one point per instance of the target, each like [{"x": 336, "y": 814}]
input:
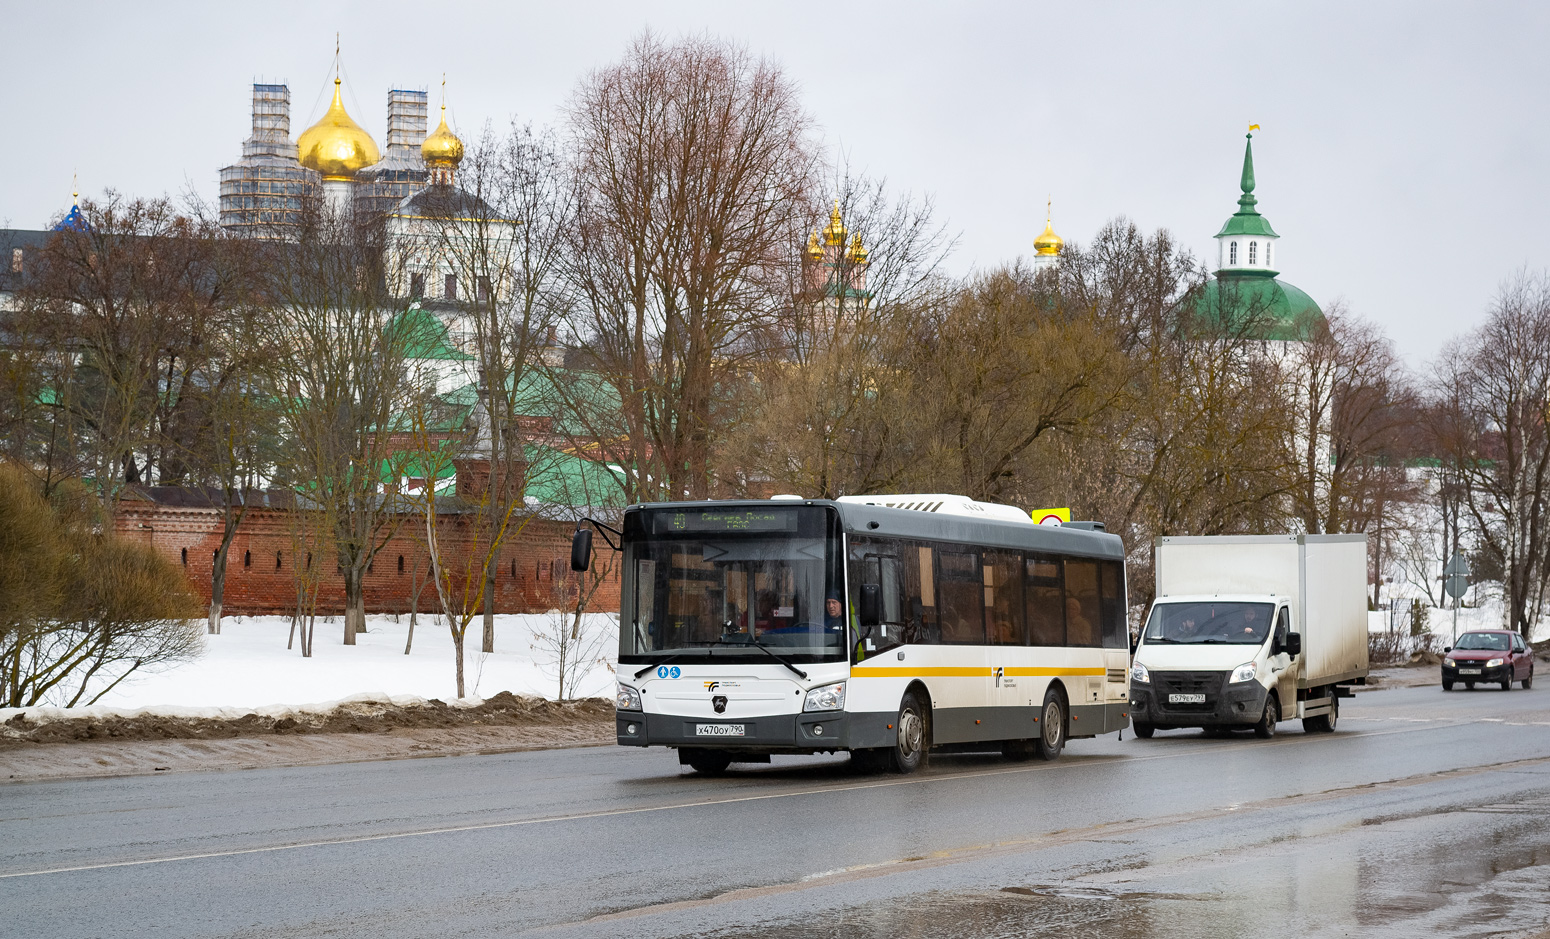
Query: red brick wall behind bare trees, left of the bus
[{"x": 534, "y": 573}]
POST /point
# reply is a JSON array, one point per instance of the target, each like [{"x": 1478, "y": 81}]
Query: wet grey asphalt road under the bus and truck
[{"x": 1427, "y": 814}]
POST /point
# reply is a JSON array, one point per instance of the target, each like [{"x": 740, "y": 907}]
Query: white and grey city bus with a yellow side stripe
[{"x": 884, "y": 627}]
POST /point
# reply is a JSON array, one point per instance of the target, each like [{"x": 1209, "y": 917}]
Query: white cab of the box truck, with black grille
[{"x": 1219, "y": 662}]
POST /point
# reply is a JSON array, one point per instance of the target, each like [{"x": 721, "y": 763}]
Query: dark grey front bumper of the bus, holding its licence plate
[{"x": 810, "y": 732}]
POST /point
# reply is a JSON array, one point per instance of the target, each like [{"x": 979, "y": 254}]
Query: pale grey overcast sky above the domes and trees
[{"x": 1402, "y": 153}]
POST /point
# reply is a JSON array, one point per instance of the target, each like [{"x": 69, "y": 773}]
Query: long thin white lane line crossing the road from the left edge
[{"x": 1086, "y": 763}]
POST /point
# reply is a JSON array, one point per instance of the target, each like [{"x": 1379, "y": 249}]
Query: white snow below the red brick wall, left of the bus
[{"x": 249, "y": 666}]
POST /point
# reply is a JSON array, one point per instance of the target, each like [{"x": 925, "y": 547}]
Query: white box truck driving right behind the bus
[{"x": 1252, "y": 630}]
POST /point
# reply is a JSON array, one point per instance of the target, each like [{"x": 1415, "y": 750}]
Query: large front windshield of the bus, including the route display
[{"x": 720, "y": 583}]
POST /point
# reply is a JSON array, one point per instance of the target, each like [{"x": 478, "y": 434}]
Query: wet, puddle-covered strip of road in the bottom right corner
[{"x": 1470, "y": 873}]
